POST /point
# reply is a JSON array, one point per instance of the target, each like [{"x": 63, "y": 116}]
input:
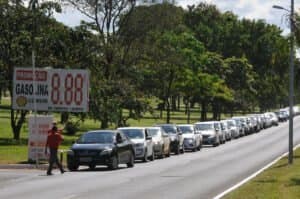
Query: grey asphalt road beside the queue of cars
[{"x": 198, "y": 175}]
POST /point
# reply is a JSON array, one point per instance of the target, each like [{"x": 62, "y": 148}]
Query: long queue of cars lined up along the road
[{"x": 127, "y": 144}]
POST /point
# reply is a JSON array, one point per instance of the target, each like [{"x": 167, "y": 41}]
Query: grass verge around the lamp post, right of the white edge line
[{"x": 281, "y": 181}]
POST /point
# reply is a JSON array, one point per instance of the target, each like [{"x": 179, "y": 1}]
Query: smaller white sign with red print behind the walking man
[{"x": 38, "y": 132}]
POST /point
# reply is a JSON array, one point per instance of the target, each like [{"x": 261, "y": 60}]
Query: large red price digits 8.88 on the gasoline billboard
[{"x": 72, "y": 89}]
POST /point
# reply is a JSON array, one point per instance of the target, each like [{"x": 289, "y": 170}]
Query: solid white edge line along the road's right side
[{"x": 253, "y": 175}]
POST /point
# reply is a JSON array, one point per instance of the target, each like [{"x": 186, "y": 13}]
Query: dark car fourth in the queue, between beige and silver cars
[{"x": 175, "y": 134}]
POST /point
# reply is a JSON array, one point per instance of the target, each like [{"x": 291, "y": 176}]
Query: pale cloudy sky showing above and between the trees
[{"x": 250, "y": 9}]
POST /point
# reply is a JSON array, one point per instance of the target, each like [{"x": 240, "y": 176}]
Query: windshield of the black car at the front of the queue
[{"x": 97, "y": 137}]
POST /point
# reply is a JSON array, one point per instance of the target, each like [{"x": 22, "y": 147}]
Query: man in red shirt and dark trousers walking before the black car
[{"x": 53, "y": 141}]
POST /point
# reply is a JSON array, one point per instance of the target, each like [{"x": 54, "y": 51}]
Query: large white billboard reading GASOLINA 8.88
[{"x": 52, "y": 89}]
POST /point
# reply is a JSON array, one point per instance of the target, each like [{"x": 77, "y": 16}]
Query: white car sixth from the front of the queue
[{"x": 209, "y": 133}]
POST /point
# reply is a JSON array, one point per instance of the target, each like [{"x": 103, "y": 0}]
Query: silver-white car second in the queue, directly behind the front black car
[{"x": 143, "y": 144}]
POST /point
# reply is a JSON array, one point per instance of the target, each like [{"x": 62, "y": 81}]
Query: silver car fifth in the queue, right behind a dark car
[{"x": 192, "y": 139}]
